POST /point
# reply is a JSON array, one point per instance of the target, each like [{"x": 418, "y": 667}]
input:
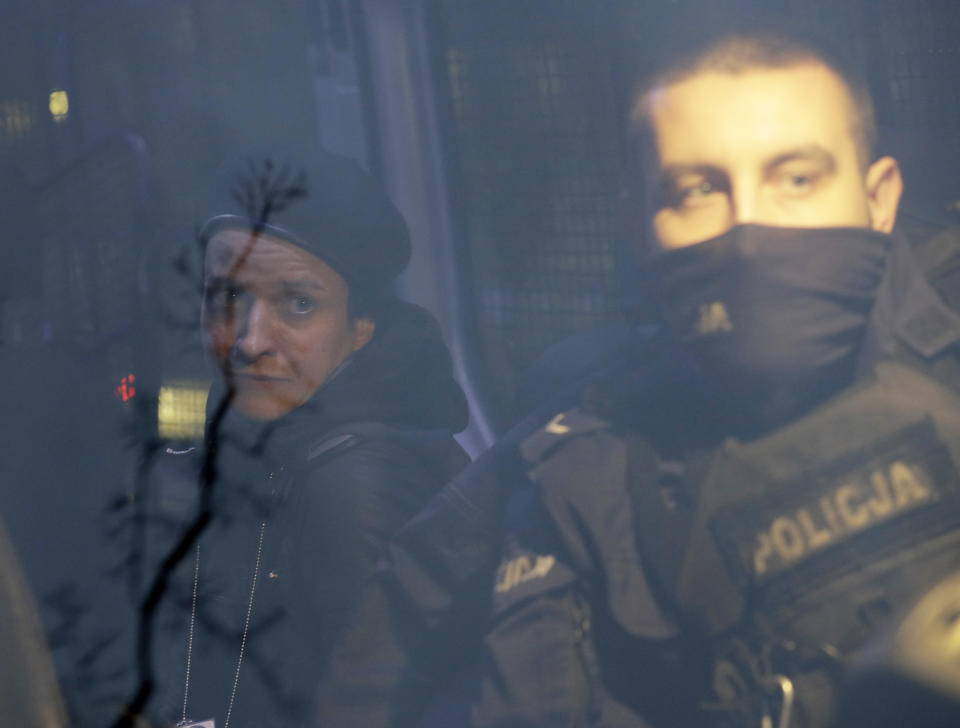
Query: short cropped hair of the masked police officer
[{"x": 739, "y": 52}]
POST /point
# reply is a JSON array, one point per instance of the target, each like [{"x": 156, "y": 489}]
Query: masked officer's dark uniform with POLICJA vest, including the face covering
[{"x": 691, "y": 555}]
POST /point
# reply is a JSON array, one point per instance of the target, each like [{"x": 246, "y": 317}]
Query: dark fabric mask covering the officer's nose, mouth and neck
[{"x": 774, "y": 317}]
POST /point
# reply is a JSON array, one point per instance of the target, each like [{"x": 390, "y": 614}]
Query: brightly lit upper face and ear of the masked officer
[{"x": 767, "y": 146}]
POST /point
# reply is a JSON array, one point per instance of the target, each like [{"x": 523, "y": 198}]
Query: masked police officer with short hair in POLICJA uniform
[{"x": 730, "y": 514}]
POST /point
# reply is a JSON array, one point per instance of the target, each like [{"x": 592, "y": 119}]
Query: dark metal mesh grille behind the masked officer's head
[{"x": 538, "y": 91}]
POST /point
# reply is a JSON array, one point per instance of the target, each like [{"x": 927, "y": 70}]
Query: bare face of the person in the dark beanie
[{"x": 275, "y": 320}]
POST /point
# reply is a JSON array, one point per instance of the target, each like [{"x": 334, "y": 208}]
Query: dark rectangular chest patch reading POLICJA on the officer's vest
[{"x": 896, "y": 478}]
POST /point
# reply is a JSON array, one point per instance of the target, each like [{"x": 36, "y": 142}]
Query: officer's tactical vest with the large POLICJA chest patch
[{"x": 787, "y": 554}]
